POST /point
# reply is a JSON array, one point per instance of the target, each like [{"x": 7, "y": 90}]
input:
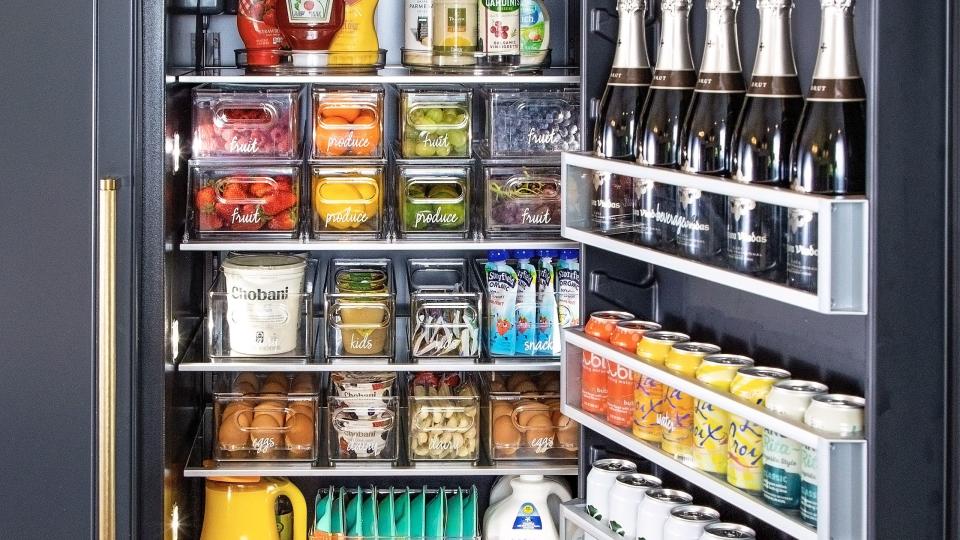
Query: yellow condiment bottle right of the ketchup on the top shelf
[{"x": 357, "y": 35}]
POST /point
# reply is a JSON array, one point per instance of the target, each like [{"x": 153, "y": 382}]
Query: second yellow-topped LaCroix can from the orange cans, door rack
[{"x": 677, "y": 424}]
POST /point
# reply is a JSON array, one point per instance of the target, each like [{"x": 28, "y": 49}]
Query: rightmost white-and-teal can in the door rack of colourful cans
[{"x": 836, "y": 414}]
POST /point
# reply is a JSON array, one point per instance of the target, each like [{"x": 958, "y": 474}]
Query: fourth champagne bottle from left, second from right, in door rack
[{"x": 761, "y": 145}]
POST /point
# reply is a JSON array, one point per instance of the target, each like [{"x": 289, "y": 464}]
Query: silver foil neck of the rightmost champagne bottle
[{"x": 837, "y": 58}]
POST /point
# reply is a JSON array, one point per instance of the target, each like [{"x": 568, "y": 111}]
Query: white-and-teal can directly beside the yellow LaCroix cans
[{"x": 782, "y": 456}]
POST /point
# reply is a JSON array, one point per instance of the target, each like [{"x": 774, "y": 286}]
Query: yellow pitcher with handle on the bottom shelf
[{"x": 244, "y": 509}]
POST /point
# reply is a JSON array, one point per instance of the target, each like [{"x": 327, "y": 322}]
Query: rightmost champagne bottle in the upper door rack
[{"x": 829, "y": 152}]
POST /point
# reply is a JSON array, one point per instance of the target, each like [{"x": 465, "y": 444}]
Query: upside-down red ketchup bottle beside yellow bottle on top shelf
[{"x": 309, "y": 25}]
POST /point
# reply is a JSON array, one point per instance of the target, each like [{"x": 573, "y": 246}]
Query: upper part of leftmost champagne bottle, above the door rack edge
[{"x": 627, "y": 86}]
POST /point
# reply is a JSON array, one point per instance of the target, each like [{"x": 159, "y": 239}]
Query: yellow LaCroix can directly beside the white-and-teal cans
[{"x": 745, "y": 445}]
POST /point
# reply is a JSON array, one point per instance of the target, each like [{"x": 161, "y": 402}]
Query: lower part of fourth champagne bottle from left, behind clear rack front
[{"x": 754, "y": 235}]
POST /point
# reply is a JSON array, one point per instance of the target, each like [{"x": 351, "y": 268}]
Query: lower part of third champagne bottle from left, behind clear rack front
[{"x": 700, "y": 230}]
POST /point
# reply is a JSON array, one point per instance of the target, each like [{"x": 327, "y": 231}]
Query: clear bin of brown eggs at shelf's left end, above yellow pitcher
[{"x": 265, "y": 427}]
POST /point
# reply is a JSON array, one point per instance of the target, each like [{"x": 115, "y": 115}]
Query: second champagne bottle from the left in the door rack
[{"x": 658, "y": 142}]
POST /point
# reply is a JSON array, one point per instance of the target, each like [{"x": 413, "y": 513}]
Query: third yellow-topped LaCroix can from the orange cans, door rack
[{"x": 711, "y": 424}]
